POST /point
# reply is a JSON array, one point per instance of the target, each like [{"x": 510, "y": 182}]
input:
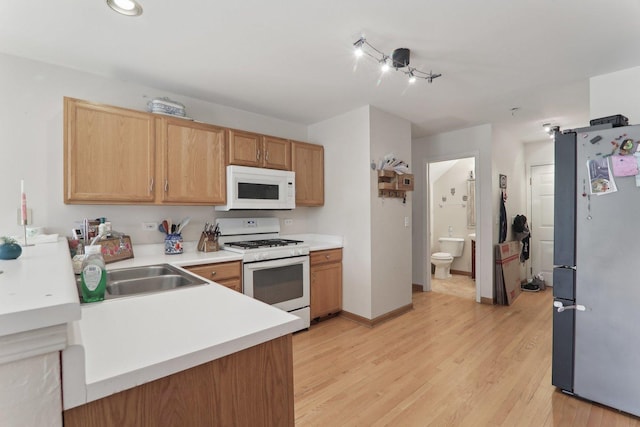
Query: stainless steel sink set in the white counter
[{"x": 145, "y": 279}]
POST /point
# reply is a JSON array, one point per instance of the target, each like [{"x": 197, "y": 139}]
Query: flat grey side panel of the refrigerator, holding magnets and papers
[{"x": 607, "y": 338}]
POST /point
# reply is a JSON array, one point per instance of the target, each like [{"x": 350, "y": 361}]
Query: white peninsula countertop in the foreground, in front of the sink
[{"x": 125, "y": 342}]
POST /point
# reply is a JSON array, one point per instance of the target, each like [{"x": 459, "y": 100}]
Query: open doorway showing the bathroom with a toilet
[{"x": 451, "y": 213}]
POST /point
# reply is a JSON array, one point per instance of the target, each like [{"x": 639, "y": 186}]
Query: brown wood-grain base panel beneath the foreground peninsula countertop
[{"x": 253, "y": 387}]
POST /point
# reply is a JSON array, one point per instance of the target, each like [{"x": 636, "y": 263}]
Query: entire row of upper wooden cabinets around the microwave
[{"x": 115, "y": 155}]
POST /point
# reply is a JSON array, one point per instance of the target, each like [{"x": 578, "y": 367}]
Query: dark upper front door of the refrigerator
[{"x": 564, "y": 232}]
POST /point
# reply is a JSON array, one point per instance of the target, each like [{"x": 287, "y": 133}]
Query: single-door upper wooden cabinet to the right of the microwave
[{"x": 308, "y": 164}]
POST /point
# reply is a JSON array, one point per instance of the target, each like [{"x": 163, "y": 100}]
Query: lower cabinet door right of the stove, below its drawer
[{"x": 326, "y": 289}]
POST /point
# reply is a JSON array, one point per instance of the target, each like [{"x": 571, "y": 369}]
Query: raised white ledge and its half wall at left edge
[{"x": 36, "y": 303}]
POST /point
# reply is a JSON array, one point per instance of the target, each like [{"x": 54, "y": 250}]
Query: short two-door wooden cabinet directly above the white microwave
[{"x": 252, "y": 149}]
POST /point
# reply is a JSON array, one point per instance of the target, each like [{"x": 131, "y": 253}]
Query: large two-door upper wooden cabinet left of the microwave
[{"x": 119, "y": 156}]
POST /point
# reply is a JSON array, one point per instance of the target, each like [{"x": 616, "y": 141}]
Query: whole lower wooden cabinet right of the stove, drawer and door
[{"x": 326, "y": 282}]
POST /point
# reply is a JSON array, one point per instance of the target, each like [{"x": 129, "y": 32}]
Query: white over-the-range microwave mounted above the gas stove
[{"x": 259, "y": 188}]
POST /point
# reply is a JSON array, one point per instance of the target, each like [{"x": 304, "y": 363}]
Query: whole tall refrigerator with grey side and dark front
[{"x": 596, "y": 281}]
